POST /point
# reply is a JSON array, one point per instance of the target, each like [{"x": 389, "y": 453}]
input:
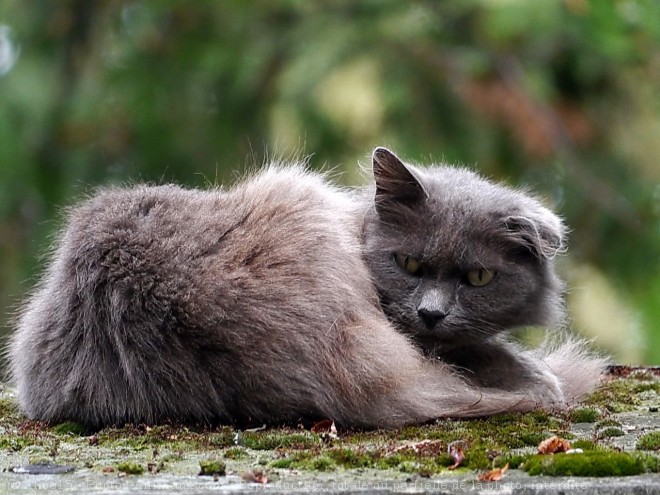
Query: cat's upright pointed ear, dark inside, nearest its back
[{"x": 396, "y": 184}]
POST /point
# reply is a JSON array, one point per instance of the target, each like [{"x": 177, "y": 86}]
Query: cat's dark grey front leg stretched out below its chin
[{"x": 504, "y": 365}]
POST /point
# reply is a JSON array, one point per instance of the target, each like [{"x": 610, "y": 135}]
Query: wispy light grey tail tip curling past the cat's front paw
[{"x": 579, "y": 369}]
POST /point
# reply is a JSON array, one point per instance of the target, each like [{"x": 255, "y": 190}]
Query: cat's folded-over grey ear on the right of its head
[{"x": 540, "y": 231}]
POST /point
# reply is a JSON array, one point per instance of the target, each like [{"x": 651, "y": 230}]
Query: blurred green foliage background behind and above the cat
[{"x": 560, "y": 95}]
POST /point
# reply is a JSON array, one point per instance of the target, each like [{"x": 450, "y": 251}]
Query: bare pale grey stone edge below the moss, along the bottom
[{"x": 88, "y": 481}]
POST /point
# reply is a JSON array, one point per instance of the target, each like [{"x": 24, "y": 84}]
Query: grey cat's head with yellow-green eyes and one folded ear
[{"x": 456, "y": 258}]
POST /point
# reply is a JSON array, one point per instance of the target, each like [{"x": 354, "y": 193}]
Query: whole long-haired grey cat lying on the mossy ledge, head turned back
[{"x": 287, "y": 299}]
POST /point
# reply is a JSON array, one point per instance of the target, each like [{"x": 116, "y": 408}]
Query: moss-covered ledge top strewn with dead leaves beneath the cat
[{"x": 421, "y": 450}]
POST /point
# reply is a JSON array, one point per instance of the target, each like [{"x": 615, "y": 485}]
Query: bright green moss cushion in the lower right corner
[{"x": 590, "y": 463}]
